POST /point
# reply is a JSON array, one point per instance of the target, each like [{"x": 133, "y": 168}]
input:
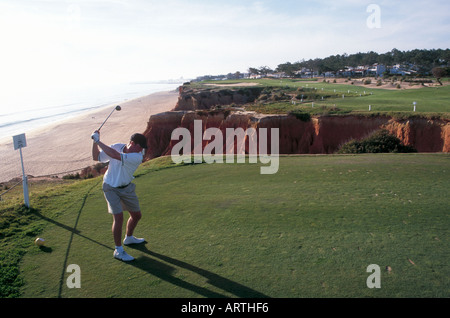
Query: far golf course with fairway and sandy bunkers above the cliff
[{"x": 319, "y": 97}]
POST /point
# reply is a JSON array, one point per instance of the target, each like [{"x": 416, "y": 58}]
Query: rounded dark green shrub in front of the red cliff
[{"x": 379, "y": 142}]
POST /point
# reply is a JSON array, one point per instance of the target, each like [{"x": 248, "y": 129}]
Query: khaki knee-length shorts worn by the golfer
[{"x": 120, "y": 199}]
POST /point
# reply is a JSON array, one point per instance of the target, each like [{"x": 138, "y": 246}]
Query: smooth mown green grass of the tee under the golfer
[{"x": 219, "y": 230}]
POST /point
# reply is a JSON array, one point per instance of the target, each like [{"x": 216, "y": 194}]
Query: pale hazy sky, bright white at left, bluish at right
[{"x": 56, "y": 42}]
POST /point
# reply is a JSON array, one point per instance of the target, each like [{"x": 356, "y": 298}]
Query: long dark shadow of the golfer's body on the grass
[{"x": 165, "y": 272}]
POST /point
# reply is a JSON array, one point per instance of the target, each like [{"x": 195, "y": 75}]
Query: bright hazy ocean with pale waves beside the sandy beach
[{"x": 27, "y": 109}]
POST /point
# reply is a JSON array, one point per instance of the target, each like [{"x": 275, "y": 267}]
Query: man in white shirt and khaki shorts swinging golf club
[{"x": 119, "y": 192}]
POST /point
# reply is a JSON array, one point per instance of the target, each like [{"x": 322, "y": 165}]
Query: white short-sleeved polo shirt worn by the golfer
[{"x": 120, "y": 172}]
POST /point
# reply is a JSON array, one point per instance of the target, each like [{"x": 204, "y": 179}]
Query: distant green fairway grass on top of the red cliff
[{"x": 431, "y": 101}]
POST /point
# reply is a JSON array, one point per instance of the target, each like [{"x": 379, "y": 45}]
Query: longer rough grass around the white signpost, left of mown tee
[{"x": 19, "y": 226}]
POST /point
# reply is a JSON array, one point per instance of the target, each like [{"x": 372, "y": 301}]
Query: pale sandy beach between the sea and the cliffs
[{"x": 66, "y": 146}]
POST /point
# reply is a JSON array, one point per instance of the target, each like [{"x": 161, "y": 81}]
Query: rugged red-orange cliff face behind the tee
[{"x": 320, "y": 135}]
